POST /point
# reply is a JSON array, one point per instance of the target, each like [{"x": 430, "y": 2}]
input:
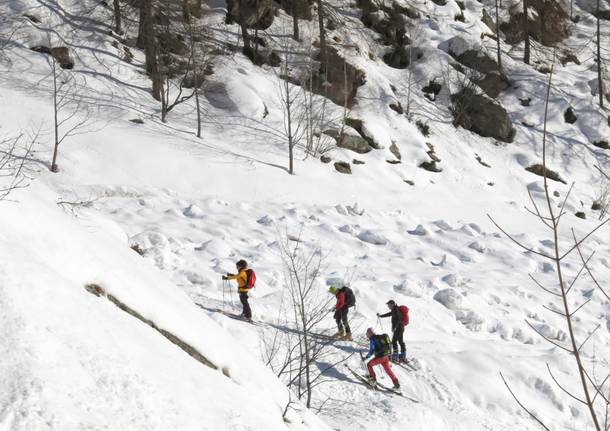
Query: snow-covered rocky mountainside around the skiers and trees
[{"x": 95, "y": 335}]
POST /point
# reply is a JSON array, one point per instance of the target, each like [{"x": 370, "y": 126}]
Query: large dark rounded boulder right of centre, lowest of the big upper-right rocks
[{"x": 482, "y": 115}]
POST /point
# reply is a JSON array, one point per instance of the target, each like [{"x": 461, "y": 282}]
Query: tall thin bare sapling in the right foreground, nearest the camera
[{"x": 592, "y": 392}]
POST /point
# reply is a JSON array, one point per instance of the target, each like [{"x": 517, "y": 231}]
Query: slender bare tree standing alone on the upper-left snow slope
[{"x": 71, "y": 115}]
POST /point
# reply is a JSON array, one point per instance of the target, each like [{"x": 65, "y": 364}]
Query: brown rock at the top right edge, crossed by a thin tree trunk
[{"x": 548, "y": 23}]
